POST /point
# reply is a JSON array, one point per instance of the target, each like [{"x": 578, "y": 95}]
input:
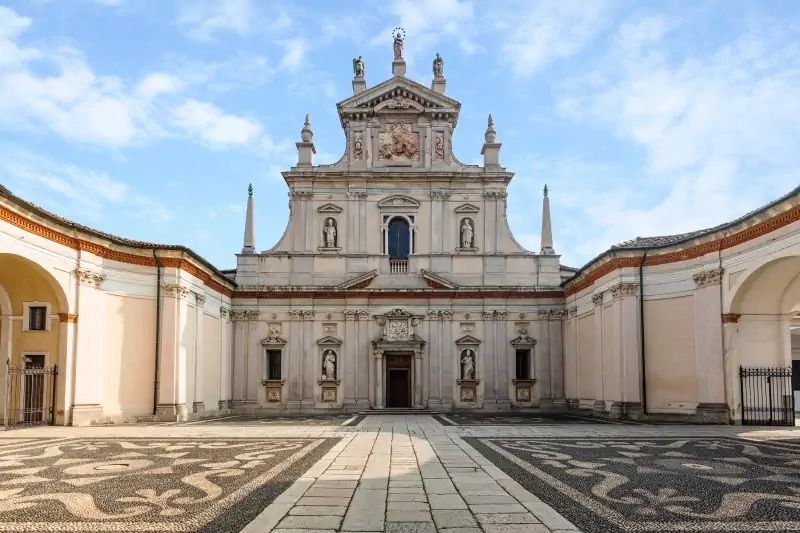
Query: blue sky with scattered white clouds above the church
[{"x": 148, "y": 118}]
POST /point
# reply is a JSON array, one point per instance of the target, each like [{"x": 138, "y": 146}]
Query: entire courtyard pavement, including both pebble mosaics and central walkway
[{"x": 400, "y": 473}]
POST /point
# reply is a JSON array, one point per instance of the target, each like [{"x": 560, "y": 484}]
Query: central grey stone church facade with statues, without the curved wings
[{"x": 397, "y": 251}]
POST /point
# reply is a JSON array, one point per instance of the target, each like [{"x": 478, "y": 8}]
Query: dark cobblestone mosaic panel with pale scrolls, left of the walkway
[{"x": 198, "y": 485}]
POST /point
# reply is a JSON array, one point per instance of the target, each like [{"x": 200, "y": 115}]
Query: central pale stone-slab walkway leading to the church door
[{"x": 403, "y": 475}]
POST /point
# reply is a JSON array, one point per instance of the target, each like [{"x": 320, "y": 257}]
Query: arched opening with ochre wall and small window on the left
[{"x": 32, "y": 305}]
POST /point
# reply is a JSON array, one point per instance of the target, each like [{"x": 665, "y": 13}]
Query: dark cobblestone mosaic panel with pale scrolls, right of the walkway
[{"x": 673, "y": 484}]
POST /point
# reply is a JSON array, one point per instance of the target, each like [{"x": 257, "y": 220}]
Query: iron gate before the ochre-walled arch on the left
[{"x": 30, "y": 395}]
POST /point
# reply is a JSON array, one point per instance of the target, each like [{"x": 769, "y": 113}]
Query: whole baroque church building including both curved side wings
[{"x": 397, "y": 284}]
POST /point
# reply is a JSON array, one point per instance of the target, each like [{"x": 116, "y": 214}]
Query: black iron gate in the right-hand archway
[{"x": 767, "y": 396}]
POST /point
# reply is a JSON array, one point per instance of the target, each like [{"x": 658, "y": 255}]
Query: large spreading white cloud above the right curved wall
[{"x": 712, "y": 127}]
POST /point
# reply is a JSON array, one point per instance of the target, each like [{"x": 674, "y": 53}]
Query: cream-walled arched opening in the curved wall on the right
[{"x": 763, "y": 332}]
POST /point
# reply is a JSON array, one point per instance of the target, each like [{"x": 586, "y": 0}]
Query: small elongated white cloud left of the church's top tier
[{"x": 213, "y": 126}]
